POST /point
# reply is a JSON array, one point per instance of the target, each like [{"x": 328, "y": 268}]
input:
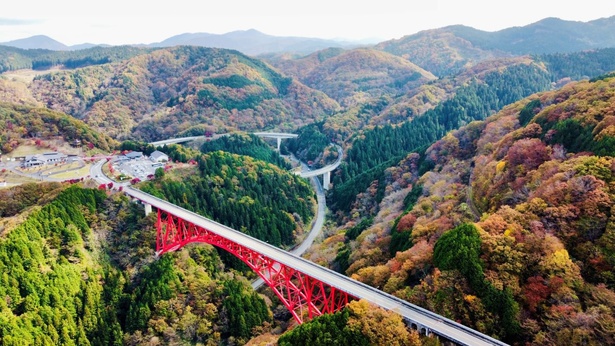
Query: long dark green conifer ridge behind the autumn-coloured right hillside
[{"x": 472, "y": 95}]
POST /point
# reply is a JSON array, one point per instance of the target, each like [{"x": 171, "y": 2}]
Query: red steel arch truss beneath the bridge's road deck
[{"x": 304, "y": 296}]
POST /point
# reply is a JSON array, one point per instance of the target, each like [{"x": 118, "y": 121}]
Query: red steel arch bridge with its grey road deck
[{"x": 305, "y": 288}]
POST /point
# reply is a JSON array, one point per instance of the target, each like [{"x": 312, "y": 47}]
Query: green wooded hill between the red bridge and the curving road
[{"x": 243, "y": 193}]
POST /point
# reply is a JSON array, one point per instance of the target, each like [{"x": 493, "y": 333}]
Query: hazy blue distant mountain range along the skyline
[{"x": 549, "y": 35}]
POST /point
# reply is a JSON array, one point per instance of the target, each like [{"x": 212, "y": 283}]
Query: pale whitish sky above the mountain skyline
[{"x": 136, "y": 21}]
